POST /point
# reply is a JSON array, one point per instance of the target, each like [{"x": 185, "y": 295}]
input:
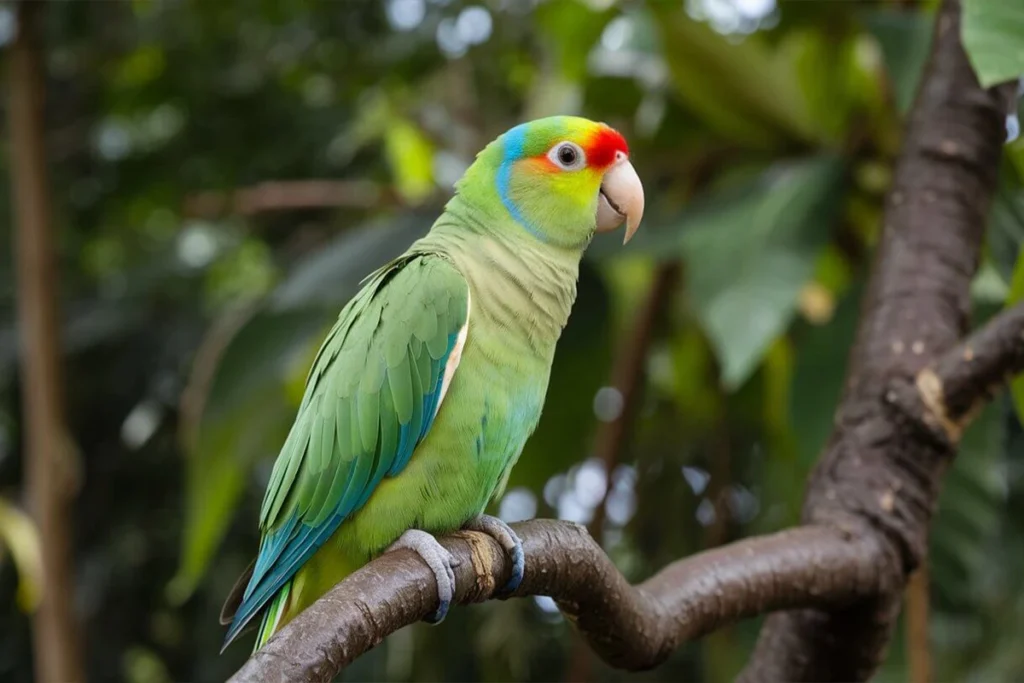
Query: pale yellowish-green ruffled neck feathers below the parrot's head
[{"x": 518, "y": 281}]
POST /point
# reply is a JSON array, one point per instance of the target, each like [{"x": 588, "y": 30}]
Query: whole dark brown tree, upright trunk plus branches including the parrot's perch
[{"x": 913, "y": 388}]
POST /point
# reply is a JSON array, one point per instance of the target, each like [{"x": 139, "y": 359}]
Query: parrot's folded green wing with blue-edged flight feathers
[{"x": 371, "y": 397}]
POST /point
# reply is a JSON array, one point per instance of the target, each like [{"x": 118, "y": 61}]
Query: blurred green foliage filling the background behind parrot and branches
[{"x": 765, "y": 135}]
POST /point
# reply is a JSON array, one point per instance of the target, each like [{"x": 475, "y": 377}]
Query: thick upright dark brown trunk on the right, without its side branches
[{"x": 878, "y": 474}]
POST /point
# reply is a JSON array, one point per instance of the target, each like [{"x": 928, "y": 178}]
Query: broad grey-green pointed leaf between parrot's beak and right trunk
[{"x": 749, "y": 251}]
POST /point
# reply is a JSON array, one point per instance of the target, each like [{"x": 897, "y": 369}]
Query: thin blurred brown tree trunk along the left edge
[{"x": 57, "y": 651}]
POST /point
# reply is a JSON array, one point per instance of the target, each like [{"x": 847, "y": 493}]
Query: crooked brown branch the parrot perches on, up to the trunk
[{"x": 630, "y": 627}]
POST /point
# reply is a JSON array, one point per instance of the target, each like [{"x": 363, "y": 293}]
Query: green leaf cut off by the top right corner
[{"x": 994, "y": 37}]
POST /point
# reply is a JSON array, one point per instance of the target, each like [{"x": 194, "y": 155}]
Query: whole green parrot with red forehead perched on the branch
[{"x": 429, "y": 386}]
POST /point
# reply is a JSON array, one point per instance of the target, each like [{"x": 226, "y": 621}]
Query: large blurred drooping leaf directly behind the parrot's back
[{"x": 242, "y": 396}]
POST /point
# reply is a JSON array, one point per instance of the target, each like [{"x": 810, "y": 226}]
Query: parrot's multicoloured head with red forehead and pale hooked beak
[{"x": 563, "y": 179}]
